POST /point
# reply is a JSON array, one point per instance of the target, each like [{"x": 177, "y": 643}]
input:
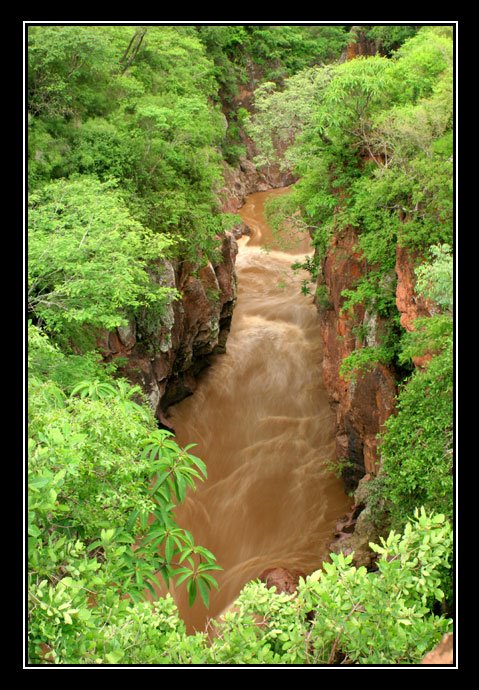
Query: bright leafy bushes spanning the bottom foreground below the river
[{"x": 340, "y": 614}]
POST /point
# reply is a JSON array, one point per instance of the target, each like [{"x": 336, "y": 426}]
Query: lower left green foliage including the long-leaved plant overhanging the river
[{"x": 102, "y": 479}]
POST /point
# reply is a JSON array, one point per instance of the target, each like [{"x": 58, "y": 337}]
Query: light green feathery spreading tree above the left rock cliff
[{"x": 88, "y": 259}]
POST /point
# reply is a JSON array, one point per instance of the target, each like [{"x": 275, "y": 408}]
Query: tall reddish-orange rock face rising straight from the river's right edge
[{"x": 361, "y": 407}]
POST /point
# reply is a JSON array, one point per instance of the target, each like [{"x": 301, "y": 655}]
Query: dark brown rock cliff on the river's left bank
[{"x": 165, "y": 360}]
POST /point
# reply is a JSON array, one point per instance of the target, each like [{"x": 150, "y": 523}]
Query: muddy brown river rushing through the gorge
[{"x": 263, "y": 425}]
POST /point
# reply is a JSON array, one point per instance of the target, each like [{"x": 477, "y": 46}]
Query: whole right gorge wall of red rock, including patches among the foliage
[{"x": 361, "y": 406}]
